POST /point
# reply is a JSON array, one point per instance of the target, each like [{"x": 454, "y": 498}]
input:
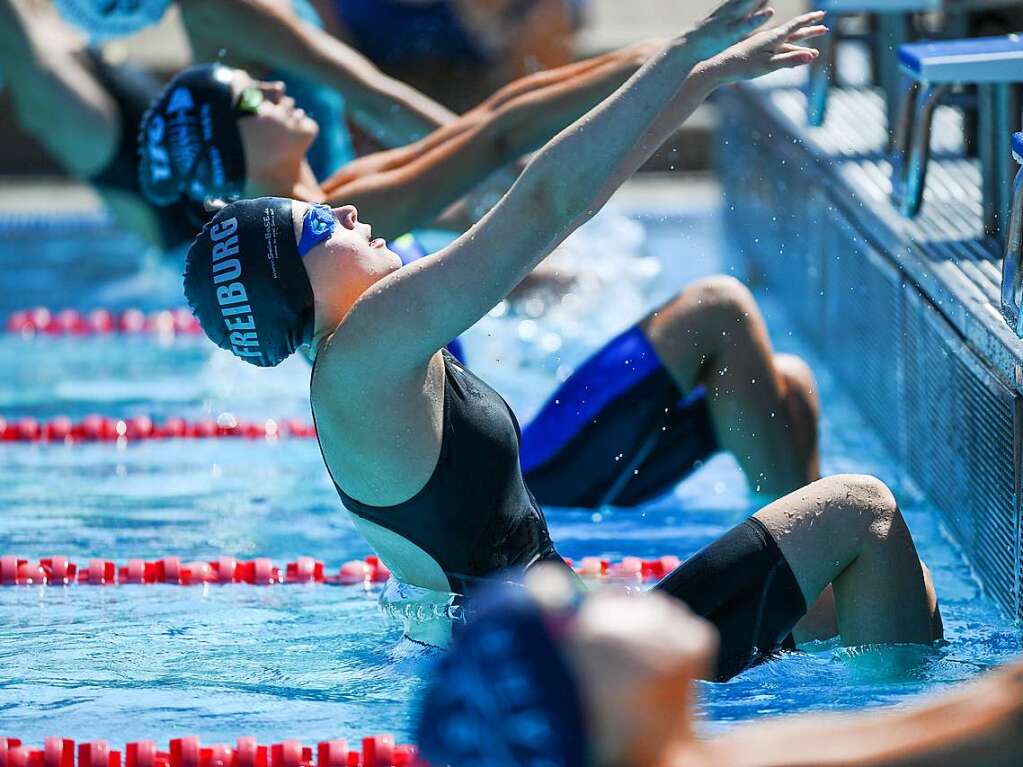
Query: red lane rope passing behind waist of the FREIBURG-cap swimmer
[{"x": 59, "y": 571}]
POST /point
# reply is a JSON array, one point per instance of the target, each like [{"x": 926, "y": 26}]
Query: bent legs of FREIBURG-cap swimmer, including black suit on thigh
[{"x": 847, "y": 533}]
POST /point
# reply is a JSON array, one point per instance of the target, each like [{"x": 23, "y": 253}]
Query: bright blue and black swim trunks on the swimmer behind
[{"x": 618, "y": 432}]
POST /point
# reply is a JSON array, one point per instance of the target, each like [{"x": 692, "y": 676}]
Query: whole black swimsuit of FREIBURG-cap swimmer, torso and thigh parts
[{"x": 476, "y": 518}]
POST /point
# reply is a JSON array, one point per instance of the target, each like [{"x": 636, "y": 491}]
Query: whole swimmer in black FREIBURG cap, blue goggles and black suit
[{"x": 426, "y": 456}]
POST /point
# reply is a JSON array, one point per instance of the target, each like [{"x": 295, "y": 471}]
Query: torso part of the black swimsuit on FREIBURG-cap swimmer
[{"x": 475, "y": 516}]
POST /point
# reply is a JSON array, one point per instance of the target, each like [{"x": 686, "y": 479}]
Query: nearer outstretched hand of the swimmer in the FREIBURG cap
[{"x": 771, "y": 51}]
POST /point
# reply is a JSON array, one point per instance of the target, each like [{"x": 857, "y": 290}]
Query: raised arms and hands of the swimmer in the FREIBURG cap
[{"x": 443, "y": 295}]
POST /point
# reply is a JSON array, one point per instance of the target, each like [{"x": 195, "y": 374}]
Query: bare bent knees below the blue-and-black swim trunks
[{"x": 764, "y": 407}]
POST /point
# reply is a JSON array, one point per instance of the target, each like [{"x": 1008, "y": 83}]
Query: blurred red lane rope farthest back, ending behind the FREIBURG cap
[{"x": 42, "y": 322}]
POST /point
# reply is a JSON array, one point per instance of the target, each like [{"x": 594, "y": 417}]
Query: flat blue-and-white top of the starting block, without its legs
[{"x": 991, "y": 60}]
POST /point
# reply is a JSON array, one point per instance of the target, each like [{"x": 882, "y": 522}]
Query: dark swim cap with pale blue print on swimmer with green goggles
[{"x": 190, "y": 144}]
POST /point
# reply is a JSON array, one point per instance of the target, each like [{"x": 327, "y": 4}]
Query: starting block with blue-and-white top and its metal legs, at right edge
[{"x": 933, "y": 70}]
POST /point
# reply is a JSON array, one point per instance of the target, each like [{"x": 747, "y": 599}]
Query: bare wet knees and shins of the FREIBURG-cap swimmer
[{"x": 848, "y": 531}]
